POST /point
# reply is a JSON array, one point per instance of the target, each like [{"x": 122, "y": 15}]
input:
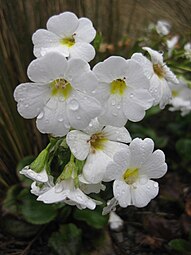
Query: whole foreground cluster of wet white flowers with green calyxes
[{"x": 85, "y": 111}]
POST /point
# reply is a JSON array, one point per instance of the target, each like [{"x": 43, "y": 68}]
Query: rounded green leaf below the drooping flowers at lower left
[{"x": 34, "y": 211}]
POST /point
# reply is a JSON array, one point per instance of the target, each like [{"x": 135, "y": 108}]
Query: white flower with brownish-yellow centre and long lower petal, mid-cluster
[{"x": 98, "y": 145}]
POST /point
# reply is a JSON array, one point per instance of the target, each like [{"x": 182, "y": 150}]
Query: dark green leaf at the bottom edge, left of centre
[{"x": 66, "y": 241}]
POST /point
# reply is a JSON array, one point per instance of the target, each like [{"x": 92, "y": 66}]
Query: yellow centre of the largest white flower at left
[{"x": 61, "y": 87}]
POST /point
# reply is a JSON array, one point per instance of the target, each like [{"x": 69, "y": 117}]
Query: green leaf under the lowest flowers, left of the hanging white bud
[{"x": 93, "y": 218}]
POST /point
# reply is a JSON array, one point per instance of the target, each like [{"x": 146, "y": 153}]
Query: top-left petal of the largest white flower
[{"x": 47, "y": 68}]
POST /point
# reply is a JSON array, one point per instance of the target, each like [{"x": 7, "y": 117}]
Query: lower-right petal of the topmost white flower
[{"x": 82, "y": 50}]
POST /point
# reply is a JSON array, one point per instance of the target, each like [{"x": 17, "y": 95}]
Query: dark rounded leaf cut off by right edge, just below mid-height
[{"x": 183, "y": 147}]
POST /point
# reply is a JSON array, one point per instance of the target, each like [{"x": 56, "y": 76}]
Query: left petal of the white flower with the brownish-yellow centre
[{"x": 78, "y": 143}]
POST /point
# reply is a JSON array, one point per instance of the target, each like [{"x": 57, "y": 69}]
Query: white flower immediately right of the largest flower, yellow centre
[{"x": 124, "y": 90}]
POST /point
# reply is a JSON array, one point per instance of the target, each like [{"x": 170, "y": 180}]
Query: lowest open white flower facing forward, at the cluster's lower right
[{"x": 132, "y": 173}]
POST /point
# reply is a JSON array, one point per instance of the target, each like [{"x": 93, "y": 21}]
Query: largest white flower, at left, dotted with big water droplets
[{"x": 60, "y": 94}]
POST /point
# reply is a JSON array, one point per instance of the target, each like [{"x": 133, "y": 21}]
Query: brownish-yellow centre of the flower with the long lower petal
[{"x": 97, "y": 142}]
